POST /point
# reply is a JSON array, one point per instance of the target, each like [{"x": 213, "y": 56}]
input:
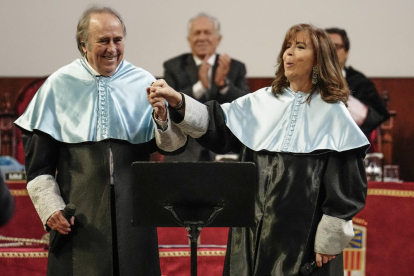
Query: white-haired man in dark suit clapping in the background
[{"x": 204, "y": 75}]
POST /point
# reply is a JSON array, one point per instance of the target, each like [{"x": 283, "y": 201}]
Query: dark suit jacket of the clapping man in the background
[{"x": 181, "y": 73}]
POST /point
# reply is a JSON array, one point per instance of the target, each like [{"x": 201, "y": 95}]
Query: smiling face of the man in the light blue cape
[{"x": 106, "y": 43}]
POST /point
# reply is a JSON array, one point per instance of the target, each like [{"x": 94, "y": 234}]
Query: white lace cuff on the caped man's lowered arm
[{"x": 45, "y": 195}]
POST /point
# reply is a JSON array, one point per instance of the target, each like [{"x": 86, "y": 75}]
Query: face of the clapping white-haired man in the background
[{"x": 203, "y": 38}]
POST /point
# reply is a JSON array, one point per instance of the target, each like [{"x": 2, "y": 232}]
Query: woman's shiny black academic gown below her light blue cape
[{"x": 293, "y": 192}]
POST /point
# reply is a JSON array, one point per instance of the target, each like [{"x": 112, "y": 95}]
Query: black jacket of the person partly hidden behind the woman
[{"x": 364, "y": 90}]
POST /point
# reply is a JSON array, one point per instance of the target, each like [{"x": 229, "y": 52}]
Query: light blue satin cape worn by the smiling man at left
[{"x": 74, "y": 106}]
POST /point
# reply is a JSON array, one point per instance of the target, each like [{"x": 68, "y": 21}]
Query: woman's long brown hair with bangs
[{"x": 330, "y": 84}]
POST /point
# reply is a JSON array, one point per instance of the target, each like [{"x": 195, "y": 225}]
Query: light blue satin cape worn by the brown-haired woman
[{"x": 288, "y": 123}]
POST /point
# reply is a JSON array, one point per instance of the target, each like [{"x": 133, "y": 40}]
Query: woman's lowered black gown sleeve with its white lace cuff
[{"x": 345, "y": 191}]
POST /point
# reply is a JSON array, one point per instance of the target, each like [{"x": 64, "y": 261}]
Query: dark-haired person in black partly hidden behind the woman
[{"x": 364, "y": 104}]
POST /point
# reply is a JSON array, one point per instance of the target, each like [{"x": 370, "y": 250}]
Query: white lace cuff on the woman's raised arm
[{"x": 196, "y": 118}]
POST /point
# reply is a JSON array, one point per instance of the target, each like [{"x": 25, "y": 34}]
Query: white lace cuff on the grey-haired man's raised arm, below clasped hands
[{"x": 169, "y": 137}]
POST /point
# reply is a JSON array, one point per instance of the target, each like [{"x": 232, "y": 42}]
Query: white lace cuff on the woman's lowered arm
[{"x": 333, "y": 235}]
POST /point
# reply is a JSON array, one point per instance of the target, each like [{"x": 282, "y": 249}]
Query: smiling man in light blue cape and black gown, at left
[{"x": 89, "y": 121}]
